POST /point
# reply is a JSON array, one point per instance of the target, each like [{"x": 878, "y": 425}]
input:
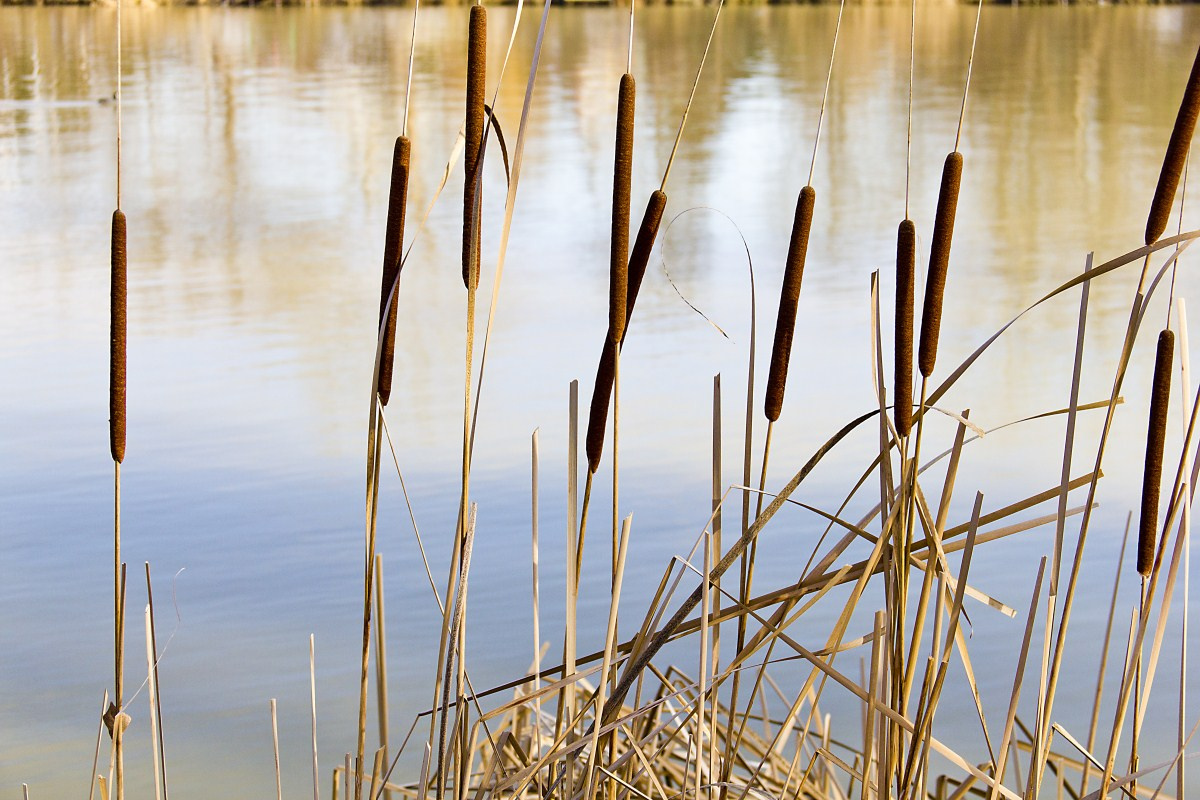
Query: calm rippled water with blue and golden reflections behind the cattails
[{"x": 257, "y": 148}]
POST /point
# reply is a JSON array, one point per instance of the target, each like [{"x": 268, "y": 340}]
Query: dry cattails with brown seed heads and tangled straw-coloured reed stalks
[{"x": 620, "y": 719}]
